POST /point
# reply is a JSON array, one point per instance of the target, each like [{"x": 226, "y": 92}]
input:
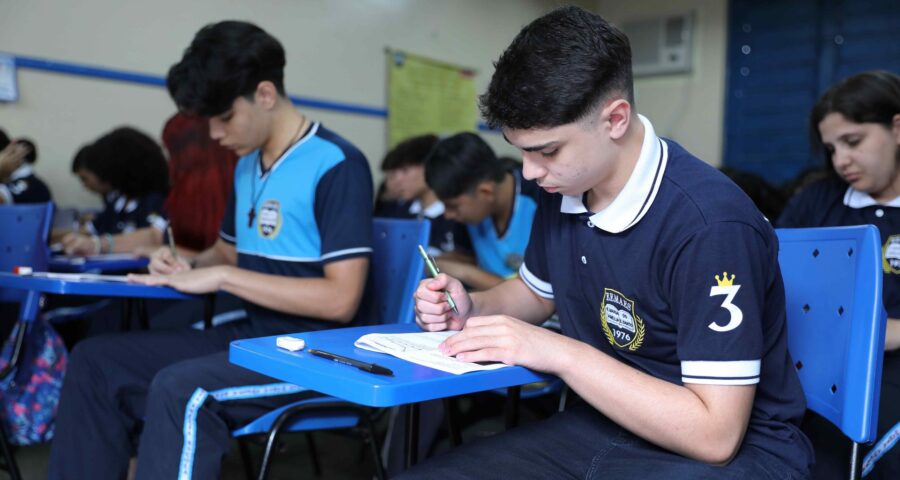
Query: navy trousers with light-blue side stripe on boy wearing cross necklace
[{"x": 169, "y": 397}]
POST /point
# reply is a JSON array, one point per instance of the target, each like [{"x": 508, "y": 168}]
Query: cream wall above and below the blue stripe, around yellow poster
[{"x": 335, "y": 51}]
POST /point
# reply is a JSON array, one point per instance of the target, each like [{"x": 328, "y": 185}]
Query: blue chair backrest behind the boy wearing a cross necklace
[{"x": 395, "y": 270}]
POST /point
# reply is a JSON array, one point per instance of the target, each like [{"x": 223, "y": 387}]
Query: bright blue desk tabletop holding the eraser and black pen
[{"x": 411, "y": 382}]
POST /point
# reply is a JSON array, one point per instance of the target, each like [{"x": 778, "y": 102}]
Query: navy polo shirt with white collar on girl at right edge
[{"x": 833, "y": 203}]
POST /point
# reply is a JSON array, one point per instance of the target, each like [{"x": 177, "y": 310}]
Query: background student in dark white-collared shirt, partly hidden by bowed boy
[{"x": 404, "y": 170}]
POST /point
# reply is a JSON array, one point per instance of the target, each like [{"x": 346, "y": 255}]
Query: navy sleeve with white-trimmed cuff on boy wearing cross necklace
[{"x": 343, "y": 209}]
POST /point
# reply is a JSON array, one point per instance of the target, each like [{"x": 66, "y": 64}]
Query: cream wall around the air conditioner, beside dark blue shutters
[{"x": 688, "y": 108}]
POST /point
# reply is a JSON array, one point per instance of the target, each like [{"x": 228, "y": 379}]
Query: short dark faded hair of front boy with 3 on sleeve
[{"x": 558, "y": 69}]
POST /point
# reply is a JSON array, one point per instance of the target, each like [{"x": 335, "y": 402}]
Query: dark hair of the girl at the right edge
[{"x": 868, "y": 97}]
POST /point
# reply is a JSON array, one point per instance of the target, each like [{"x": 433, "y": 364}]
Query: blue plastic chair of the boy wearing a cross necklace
[{"x": 394, "y": 274}]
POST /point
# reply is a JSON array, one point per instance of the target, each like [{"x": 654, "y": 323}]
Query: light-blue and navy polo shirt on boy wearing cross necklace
[{"x": 312, "y": 207}]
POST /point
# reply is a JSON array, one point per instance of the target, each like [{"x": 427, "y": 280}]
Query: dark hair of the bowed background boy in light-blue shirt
[{"x": 459, "y": 163}]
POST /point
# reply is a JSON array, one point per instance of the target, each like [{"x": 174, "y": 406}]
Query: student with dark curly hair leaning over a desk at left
[{"x": 127, "y": 168}]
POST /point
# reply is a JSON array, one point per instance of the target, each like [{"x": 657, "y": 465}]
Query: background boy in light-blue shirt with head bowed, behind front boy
[{"x": 496, "y": 205}]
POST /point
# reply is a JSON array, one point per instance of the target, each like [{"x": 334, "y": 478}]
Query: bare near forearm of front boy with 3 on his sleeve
[{"x": 671, "y": 416}]
